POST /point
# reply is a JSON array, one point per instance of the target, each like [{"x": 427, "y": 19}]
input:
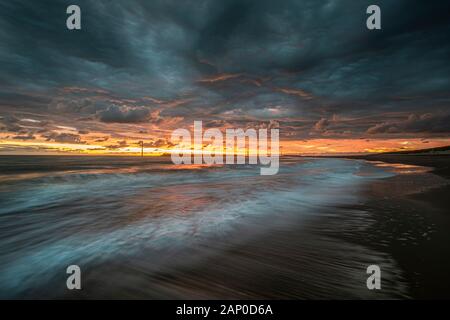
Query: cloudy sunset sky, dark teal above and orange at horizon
[{"x": 137, "y": 70}]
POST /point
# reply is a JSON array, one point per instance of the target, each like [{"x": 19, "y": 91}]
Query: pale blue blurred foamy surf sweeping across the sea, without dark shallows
[{"x": 85, "y": 218}]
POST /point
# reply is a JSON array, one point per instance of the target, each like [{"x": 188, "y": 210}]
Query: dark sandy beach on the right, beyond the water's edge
[{"x": 415, "y": 218}]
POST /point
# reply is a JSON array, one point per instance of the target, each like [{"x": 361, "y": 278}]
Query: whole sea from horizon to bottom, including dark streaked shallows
[{"x": 145, "y": 228}]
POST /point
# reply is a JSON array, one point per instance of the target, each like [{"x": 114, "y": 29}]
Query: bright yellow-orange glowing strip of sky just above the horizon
[{"x": 300, "y": 147}]
